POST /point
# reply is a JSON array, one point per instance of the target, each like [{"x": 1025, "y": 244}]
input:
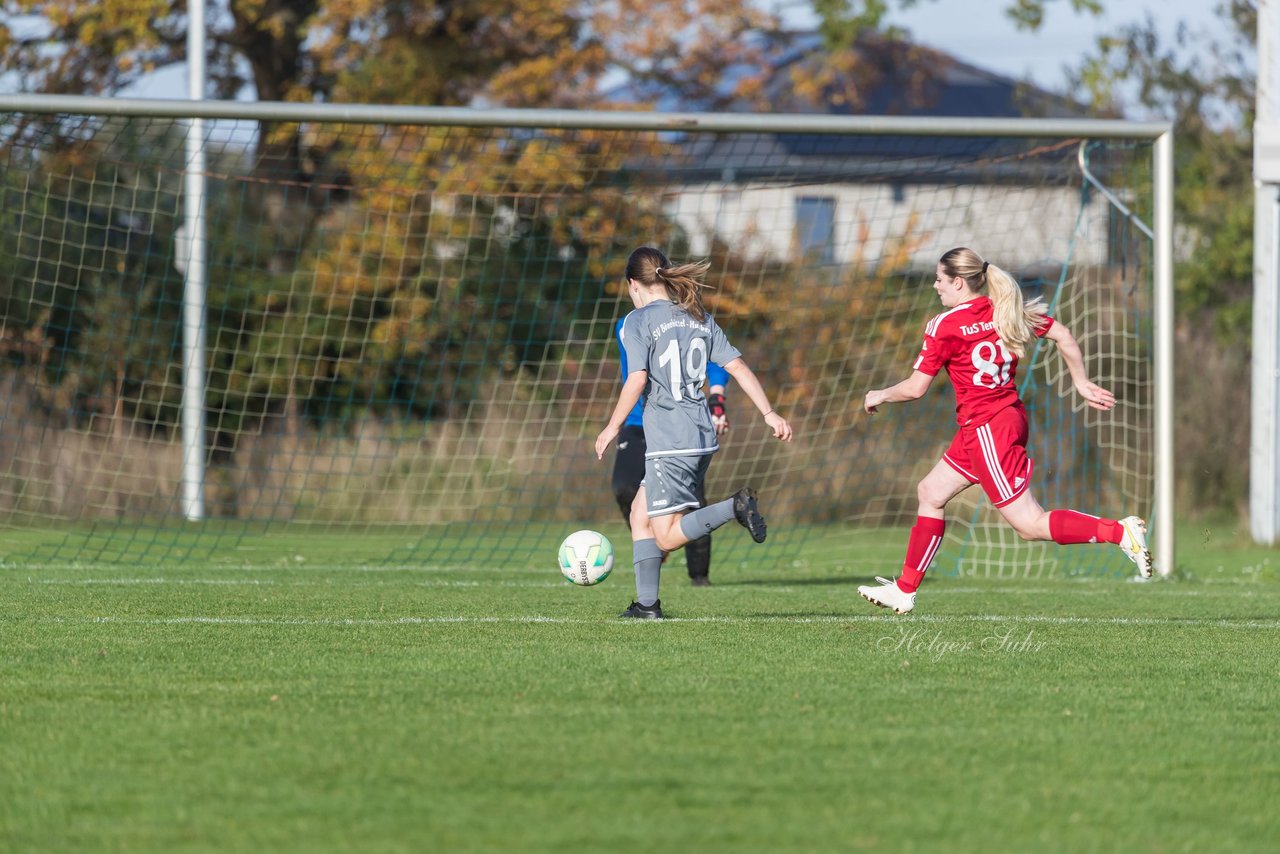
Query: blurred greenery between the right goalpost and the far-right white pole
[{"x": 1208, "y": 88}]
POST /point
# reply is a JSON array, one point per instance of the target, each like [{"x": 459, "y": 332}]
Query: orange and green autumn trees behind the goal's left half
[{"x": 363, "y": 270}]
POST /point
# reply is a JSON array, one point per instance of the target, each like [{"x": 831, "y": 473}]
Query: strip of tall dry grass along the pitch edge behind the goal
[{"x": 524, "y": 454}]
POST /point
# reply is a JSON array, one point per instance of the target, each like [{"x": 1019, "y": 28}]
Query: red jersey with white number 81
[{"x": 980, "y": 366}]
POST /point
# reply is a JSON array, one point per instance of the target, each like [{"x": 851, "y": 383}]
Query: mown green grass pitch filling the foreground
[{"x": 294, "y": 697}]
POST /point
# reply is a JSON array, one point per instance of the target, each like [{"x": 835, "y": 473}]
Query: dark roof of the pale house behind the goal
[{"x": 892, "y": 77}]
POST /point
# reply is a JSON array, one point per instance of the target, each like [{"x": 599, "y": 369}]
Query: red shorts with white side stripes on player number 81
[{"x": 994, "y": 455}]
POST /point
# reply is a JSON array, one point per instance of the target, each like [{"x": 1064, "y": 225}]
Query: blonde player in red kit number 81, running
[{"x": 979, "y": 341}]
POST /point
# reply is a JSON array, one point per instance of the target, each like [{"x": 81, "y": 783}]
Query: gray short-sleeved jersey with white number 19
[{"x": 675, "y": 349}]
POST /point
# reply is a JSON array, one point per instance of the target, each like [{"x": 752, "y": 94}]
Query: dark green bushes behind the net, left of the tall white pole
[{"x": 90, "y": 294}]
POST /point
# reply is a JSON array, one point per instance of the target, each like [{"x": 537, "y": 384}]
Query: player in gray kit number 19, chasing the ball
[{"x": 669, "y": 340}]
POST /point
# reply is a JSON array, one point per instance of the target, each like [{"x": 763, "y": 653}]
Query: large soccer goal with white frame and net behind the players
[{"x": 409, "y": 322}]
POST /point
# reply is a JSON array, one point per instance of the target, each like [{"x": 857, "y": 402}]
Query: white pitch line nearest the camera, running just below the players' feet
[{"x": 1269, "y": 625}]
